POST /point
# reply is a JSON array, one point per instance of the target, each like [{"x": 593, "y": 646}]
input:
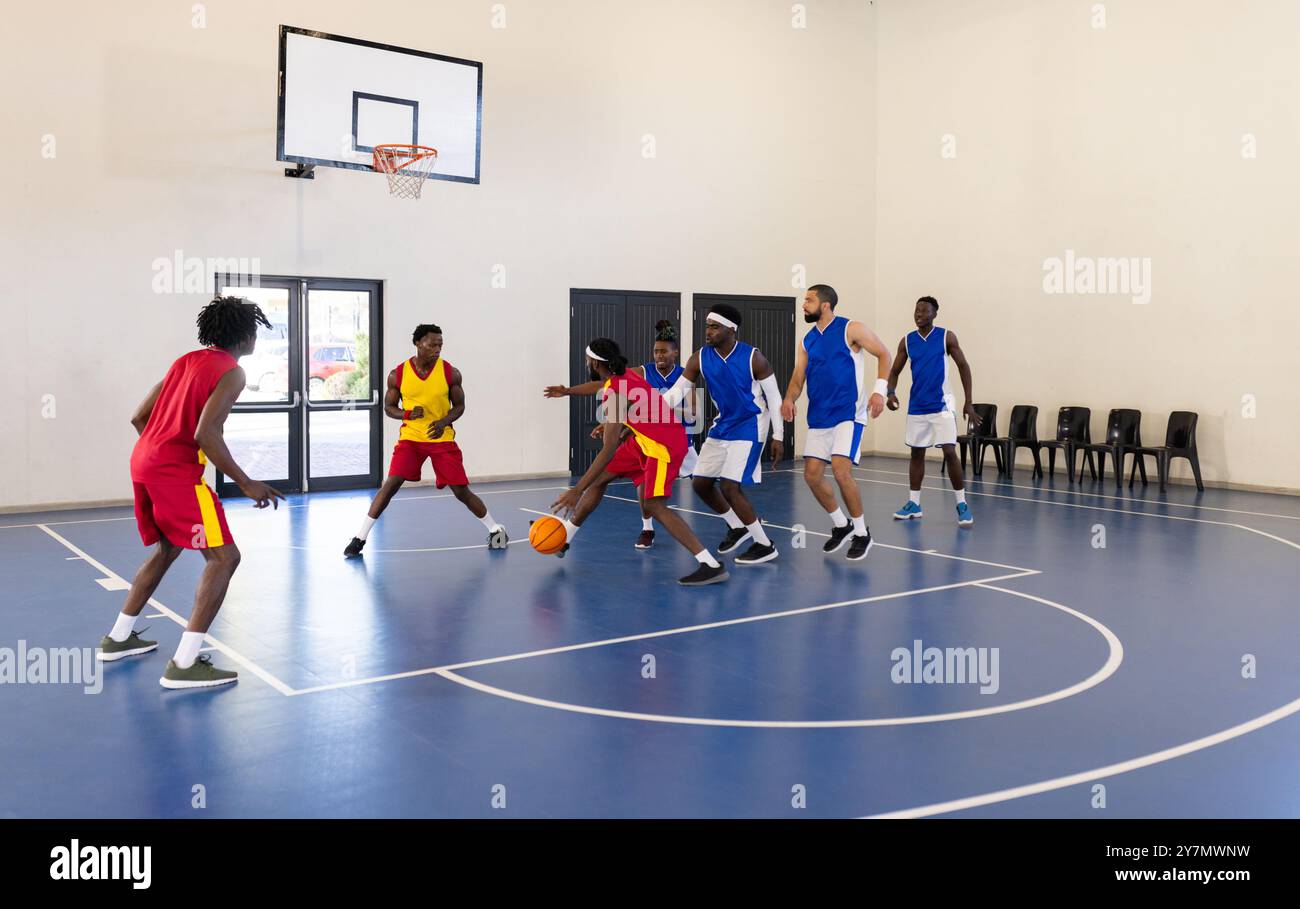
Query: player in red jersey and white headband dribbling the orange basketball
[{"x": 644, "y": 441}]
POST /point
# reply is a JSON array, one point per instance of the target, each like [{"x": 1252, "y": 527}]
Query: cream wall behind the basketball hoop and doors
[{"x": 166, "y": 141}]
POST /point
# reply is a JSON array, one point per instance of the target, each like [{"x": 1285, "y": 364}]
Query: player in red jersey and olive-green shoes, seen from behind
[{"x": 180, "y": 423}]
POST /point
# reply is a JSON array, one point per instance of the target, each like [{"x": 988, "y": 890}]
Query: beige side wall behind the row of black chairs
[{"x": 1124, "y": 141}]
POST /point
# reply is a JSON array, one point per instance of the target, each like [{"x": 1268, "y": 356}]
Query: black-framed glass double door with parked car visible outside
[{"x": 311, "y": 414}]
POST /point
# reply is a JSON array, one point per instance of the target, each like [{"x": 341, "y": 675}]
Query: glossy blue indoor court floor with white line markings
[{"x": 436, "y": 678}]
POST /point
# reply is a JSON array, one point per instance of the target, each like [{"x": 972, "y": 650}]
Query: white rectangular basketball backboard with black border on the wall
[{"x": 341, "y": 97}]
